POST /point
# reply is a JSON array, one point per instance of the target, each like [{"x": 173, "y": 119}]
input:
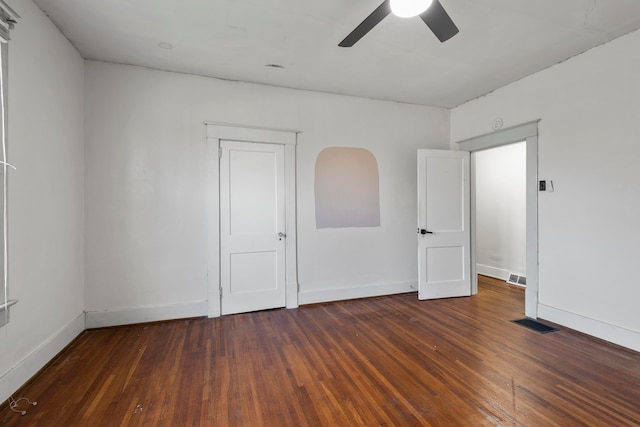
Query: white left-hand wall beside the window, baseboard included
[{"x": 46, "y": 78}]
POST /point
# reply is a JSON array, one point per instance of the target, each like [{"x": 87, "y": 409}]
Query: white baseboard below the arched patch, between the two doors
[{"x": 339, "y": 294}]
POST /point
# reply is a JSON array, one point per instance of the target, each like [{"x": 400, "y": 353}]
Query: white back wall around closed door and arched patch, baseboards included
[{"x": 145, "y": 160}]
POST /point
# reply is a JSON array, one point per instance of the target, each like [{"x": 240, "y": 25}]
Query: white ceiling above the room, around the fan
[{"x": 500, "y": 41}]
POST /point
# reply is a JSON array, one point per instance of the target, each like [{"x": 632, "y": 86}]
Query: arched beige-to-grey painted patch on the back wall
[{"x": 347, "y": 188}]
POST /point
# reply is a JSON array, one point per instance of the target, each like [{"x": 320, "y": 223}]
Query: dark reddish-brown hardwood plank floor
[{"x": 392, "y": 361}]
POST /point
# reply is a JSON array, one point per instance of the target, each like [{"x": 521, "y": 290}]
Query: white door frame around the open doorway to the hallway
[{"x": 527, "y": 132}]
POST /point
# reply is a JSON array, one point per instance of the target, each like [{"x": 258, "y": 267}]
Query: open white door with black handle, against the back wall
[{"x": 444, "y": 238}]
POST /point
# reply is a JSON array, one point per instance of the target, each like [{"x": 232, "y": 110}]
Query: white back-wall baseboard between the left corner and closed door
[{"x": 101, "y": 319}]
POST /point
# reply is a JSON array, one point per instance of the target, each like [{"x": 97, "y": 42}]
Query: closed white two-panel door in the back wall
[{"x": 252, "y": 226}]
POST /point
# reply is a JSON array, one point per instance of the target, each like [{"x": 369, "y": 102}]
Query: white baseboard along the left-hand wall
[{"x": 17, "y": 376}]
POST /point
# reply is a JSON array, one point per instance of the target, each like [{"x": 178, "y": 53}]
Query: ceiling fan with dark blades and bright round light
[{"x": 431, "y": 12}]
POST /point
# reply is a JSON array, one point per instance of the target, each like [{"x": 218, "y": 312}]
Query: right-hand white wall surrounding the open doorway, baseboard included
[{"x": 589, "y": 147}]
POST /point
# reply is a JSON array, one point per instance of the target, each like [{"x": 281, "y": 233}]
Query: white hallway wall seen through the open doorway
[{"x": 500, "y": 181}]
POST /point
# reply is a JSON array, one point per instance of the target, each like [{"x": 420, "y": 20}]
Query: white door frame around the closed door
[{"x": 215, "y": 132}]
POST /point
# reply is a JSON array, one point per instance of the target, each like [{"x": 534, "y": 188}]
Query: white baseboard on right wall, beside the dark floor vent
[{"x": 615, "y": 334}]
